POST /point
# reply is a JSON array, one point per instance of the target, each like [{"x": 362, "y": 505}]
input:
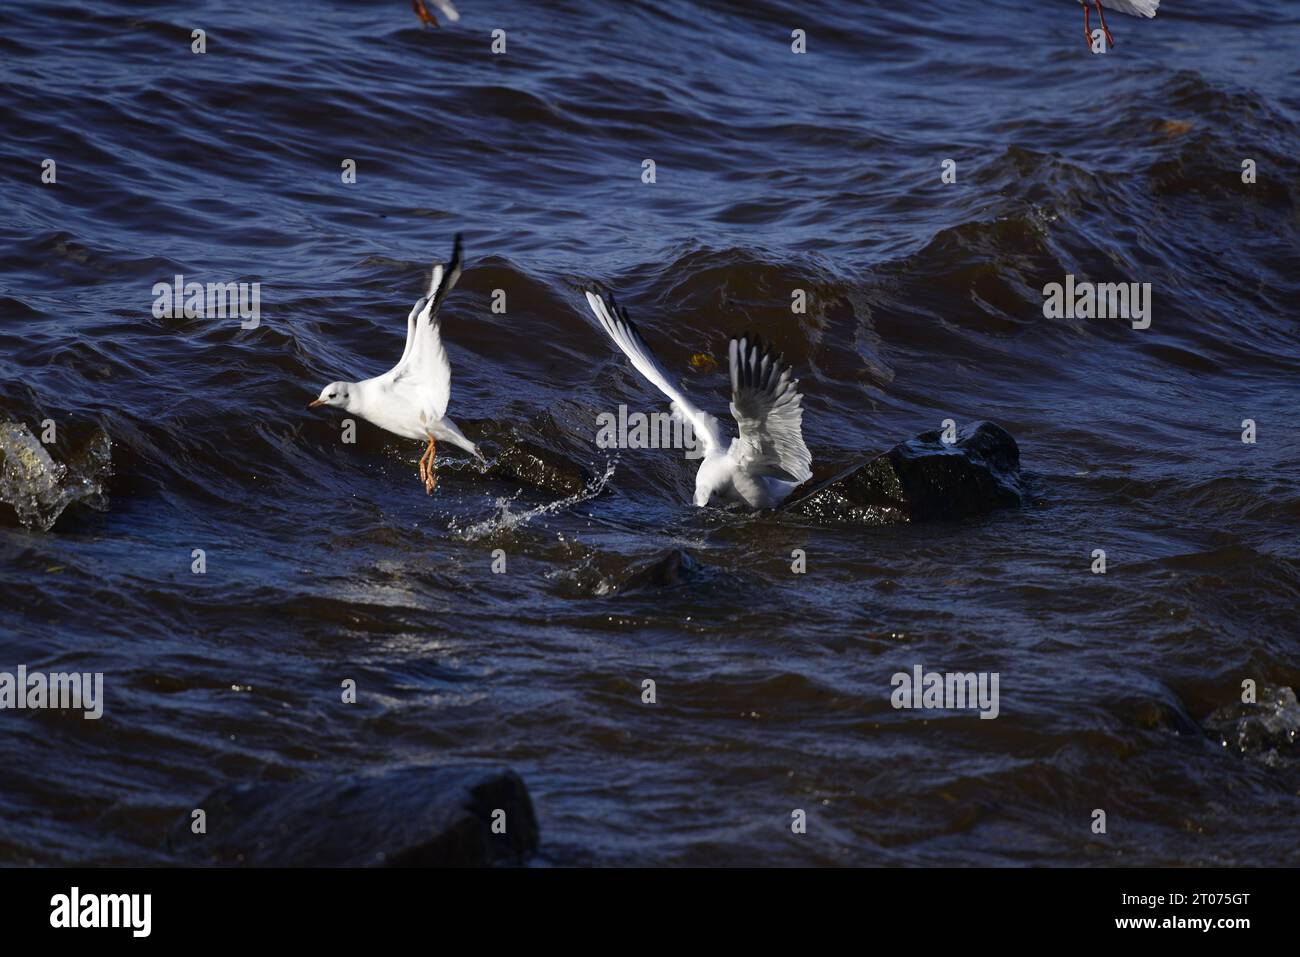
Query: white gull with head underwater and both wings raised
[{"x": 769, "y": 460}]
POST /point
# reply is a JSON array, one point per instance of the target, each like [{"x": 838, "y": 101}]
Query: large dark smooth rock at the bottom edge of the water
[{"x": 423, "y": 817}]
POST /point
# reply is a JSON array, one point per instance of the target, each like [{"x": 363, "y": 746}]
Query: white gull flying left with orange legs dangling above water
[{"x": 411, "y": 399}]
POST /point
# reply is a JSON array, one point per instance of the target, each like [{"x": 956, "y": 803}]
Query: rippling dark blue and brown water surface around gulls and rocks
[{"x": 774, "y": 172}]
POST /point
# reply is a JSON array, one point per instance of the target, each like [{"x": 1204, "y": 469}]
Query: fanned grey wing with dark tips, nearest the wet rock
[{"x": 768, "y": 406}]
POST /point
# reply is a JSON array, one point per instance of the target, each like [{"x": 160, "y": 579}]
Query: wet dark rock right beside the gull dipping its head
[{"x": 921, "y": 480}]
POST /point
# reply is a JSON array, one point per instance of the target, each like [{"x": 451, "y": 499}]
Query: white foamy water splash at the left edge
[{"x": 38, "y": 488}]
